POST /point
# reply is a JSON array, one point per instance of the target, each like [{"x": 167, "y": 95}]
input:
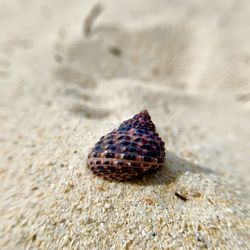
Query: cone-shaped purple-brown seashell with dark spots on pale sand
[{"x": 132, "y": 150}]
